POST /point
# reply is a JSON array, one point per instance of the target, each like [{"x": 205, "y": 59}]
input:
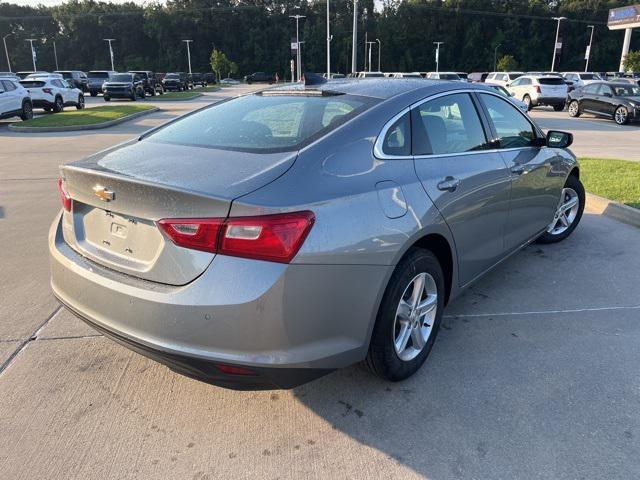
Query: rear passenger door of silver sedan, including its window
[{"x": 467, "y": 182}]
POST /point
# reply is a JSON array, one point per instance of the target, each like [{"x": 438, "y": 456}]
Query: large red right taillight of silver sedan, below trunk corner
[{"x": 275, "y": 238}]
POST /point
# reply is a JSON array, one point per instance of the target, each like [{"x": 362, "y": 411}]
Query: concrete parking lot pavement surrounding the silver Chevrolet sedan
[{"x": 534, "y": 373}]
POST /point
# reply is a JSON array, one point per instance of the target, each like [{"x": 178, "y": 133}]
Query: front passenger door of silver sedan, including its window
[{"x": 535, "y": 188}]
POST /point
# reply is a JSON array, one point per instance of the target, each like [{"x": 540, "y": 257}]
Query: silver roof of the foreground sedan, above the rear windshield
[{"x": 381, "y": 88}]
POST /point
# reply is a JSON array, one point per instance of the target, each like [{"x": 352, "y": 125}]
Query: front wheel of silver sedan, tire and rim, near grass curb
[{"x": 568, "y": 213}]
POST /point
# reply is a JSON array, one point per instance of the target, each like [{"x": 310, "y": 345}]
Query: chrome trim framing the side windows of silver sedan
[{"x": 379, "y": 153}]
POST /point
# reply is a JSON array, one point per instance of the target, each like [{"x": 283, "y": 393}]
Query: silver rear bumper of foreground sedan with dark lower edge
[{"x": 287, "y": 323}]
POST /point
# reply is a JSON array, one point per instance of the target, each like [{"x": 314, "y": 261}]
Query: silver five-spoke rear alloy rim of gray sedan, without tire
[{"x": 415, "y": 316}]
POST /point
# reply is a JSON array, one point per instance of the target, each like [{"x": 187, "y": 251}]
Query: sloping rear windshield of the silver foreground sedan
[{"x": 263, "y": 124}]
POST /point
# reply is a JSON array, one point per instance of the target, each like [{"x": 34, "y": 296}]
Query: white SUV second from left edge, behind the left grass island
[{"x": 52, "y": 92}]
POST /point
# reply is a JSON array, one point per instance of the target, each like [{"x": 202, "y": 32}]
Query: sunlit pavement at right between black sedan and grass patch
[{"x": 593, "y": 136}]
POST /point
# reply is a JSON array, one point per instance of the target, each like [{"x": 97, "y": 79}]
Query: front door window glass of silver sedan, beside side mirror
[{"x": 512, "y": 128}]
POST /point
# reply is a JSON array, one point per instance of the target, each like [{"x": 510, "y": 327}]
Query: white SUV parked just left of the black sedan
[{"x": 535, "y": 90}]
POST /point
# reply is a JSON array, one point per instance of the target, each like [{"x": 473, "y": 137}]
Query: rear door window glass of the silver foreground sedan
[{"x": 447, "y": 124}]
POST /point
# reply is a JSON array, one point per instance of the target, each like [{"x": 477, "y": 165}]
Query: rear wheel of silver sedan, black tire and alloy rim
[{"x": 409, "y": 317}]
